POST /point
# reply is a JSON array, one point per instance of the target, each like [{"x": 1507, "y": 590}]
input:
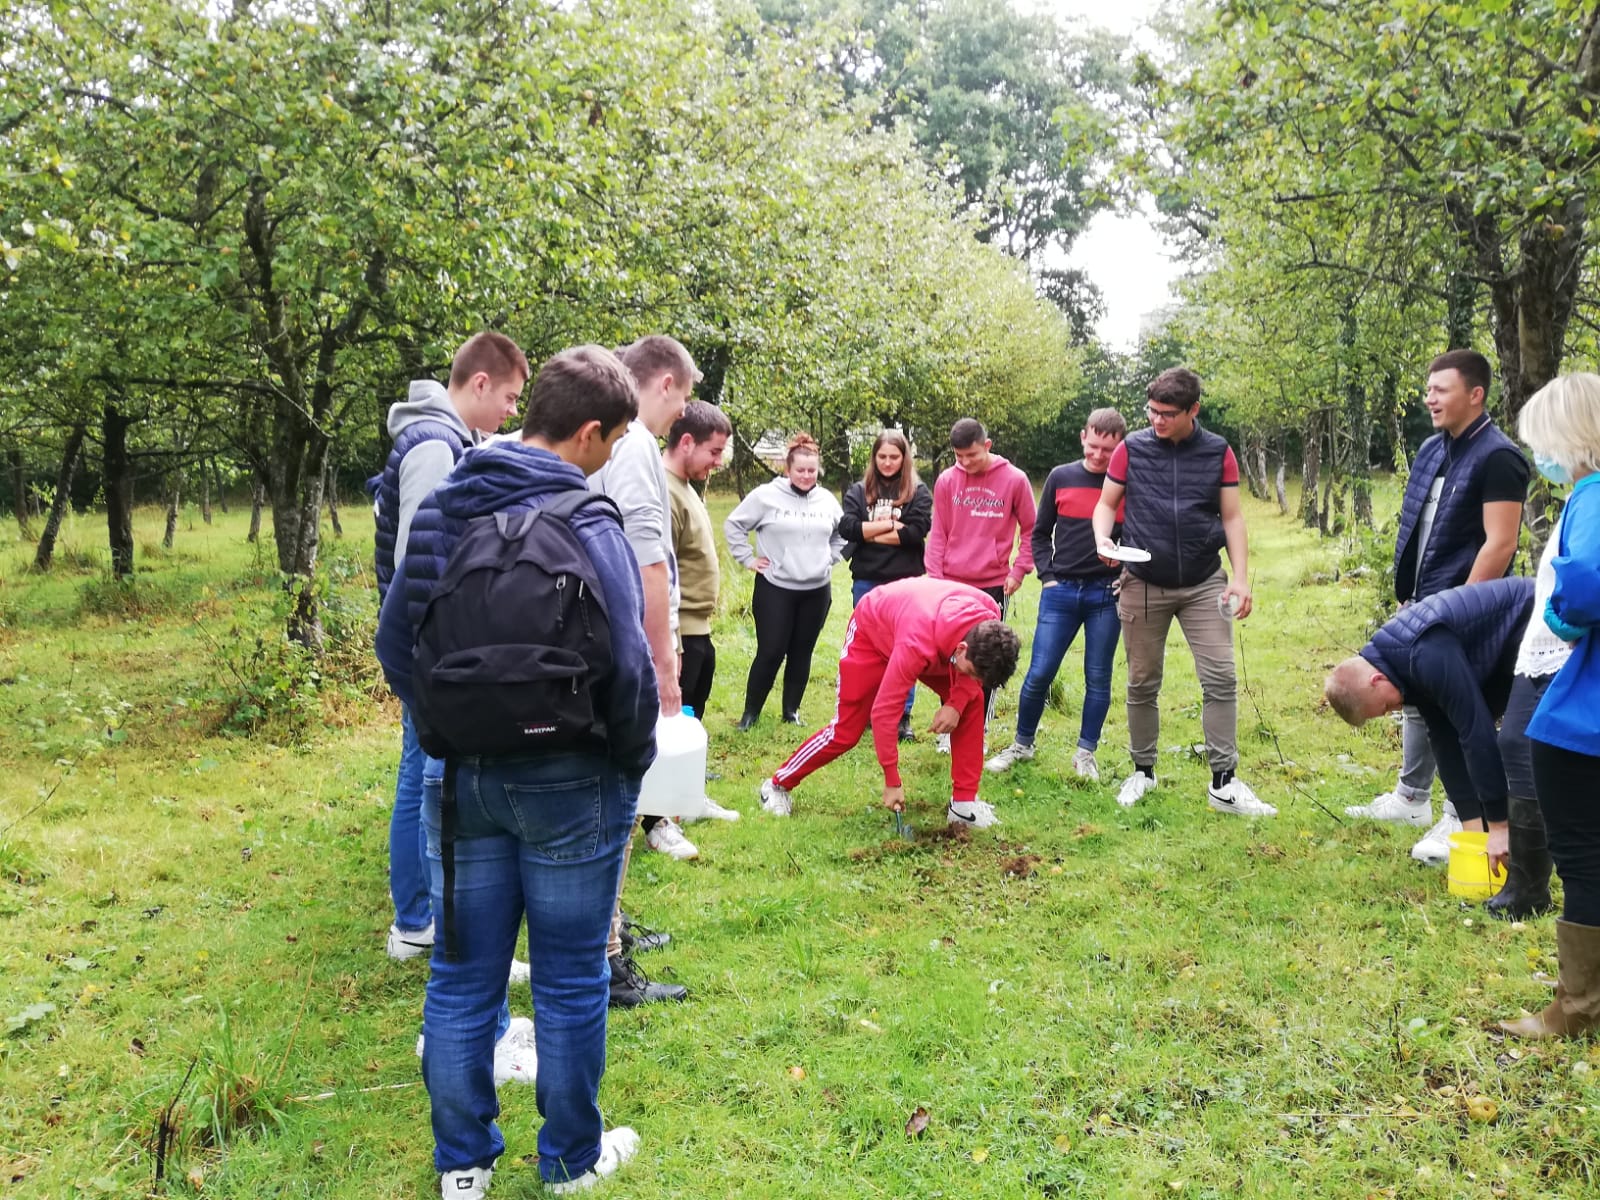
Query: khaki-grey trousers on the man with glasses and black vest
[{"x": 1146, "y": 615}]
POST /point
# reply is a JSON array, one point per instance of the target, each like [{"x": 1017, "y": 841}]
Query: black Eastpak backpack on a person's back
[{"x": 513, "y": 636}]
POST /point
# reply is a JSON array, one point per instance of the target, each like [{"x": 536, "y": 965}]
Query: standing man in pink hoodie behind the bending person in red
[{"x": 983, "y": 508}]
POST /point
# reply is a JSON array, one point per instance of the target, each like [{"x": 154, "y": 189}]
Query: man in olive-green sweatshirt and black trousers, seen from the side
[{"x": 695, "y": 449}]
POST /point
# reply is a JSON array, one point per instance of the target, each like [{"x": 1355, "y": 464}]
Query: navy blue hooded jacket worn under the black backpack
[{"x": 508, "y": 476}]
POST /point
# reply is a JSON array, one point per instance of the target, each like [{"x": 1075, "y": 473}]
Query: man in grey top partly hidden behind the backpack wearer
[{"x": 638, "y": 482}]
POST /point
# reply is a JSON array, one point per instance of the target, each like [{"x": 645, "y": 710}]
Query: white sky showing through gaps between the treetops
[{"x": 1124, "y": 255}]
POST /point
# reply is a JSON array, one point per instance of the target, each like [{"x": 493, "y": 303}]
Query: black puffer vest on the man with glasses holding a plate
[{"x": 1174, "y": 506}]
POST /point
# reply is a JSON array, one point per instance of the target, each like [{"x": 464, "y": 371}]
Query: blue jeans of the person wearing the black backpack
[{"x": 538, "y": 839}]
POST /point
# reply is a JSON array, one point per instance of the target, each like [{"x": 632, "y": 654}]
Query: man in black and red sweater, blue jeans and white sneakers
[{"x": 1076, "y": 593}]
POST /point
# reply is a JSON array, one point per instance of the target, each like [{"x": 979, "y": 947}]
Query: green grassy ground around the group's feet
[{"x": 1086, "y": 1002}]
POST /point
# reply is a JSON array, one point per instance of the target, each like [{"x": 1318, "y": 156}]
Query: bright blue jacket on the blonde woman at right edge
[{"x": 1570, "y": 713}]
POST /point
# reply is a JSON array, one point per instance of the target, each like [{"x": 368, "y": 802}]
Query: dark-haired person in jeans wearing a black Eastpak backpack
[{"x": 514, "y": 634}]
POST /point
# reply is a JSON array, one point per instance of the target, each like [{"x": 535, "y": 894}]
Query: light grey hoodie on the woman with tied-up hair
[{"x": 799, "y": 534}]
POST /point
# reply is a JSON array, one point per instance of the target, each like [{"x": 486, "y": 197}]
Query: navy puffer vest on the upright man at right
[{"x": 1458, "y": 522}]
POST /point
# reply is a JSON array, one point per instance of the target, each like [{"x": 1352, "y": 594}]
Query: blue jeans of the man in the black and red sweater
[{"x": 1063, "y": 610}]
